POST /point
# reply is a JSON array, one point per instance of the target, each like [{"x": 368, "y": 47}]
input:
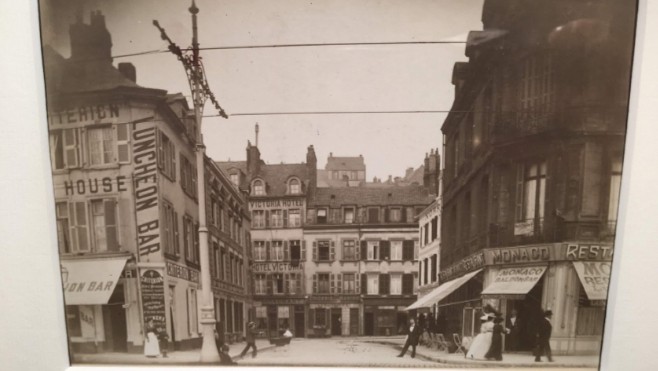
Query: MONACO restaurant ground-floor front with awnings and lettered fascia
[{"x": 570, "y": 279}]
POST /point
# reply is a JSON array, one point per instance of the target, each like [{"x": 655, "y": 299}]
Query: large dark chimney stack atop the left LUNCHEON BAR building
[{"x": 91, "y": 42}]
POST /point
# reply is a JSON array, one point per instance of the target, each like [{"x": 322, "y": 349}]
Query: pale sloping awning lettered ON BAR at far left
[{"x": 91, "y": 281}]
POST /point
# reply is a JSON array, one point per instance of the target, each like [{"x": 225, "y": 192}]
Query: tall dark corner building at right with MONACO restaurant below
[{"x": 533, "y": 153}]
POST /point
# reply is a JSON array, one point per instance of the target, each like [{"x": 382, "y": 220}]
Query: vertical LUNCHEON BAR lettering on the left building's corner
[{"x": 145, "y": 178}]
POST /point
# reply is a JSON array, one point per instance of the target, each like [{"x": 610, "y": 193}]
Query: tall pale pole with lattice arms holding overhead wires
[{"x": 200, "y": 94}]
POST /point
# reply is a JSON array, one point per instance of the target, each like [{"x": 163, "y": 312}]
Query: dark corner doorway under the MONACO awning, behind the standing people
[{"x": 530, "y": 313}]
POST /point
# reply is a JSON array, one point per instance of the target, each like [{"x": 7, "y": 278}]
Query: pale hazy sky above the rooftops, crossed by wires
[{"x": 334, "y": 78}]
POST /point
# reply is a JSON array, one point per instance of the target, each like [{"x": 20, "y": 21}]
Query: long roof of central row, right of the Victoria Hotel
[{"x": 363, "y": 196}]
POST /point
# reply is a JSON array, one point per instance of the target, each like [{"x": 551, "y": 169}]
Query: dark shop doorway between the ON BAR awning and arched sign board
[{"x": 114, "y": 321}]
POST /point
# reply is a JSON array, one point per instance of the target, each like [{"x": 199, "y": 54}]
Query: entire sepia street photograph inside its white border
[{"x": 371, "y": 183}]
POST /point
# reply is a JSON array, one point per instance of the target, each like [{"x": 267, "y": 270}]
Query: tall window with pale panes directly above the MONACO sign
[{"x": 531, "y": 193}]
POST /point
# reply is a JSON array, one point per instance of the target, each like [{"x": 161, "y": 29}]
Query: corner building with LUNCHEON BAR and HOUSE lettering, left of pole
[{"x": 127, "y": 208}]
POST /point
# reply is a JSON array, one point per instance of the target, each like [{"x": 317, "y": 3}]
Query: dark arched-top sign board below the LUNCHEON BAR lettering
[{"x": 153, "y": 297}]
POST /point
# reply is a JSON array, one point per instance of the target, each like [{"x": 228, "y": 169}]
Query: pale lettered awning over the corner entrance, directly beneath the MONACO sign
[{"x": 514, "y": 282}]
